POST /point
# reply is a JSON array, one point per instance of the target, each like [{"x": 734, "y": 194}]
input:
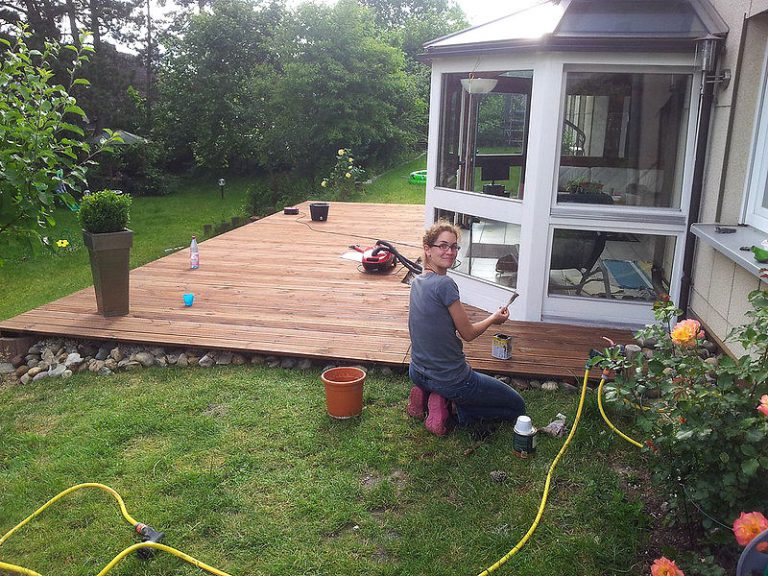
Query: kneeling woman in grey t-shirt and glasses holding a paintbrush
[{"x": 438, "y": 368}]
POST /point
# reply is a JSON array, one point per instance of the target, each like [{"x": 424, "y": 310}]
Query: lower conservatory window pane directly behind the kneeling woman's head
[{"x": 489, "y": 249}]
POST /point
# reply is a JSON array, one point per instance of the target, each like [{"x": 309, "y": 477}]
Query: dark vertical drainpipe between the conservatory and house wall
[{"x": 708, "y": 83}]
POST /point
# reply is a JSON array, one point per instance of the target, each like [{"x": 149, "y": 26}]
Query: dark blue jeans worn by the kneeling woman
[{"x": 481, "y": 398}]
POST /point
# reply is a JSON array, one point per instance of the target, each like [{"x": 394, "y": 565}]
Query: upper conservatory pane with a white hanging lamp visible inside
[{"x": 484, "y": 132}]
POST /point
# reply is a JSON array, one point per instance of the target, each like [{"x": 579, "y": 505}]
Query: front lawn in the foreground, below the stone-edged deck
[{"x": 242, "y": 469}]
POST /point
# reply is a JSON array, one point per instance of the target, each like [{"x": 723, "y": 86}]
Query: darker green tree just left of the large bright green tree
[{"x": 214, "y": 85}]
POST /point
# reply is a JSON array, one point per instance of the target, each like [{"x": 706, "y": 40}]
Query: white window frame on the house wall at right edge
[{"x": 756, "y": 187}]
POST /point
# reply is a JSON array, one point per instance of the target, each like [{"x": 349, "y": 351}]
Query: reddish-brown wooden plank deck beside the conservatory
[{"x": 279, "y": 286}]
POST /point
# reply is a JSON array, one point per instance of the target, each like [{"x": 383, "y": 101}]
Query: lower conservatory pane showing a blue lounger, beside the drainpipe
[{"x": 616, "y": 265}]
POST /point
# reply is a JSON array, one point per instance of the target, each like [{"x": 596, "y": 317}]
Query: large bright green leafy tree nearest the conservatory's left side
[{"x": 342, "y": 87}]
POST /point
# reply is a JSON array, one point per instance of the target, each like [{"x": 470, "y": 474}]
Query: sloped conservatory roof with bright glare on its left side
[{"x": 656, "y": 25}]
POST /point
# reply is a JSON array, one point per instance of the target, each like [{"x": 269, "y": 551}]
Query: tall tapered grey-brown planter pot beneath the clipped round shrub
[{"x": 110, "y": 258}]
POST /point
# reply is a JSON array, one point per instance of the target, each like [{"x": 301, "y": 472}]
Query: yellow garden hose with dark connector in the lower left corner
[{"x": 144, "y": 549}]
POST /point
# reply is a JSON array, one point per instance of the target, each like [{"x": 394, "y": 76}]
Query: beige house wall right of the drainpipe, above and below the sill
[{"x": 720, "y": 286}]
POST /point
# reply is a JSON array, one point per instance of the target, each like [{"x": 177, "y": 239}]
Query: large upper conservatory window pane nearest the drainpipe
[{"x": 624, "y": 139}]
